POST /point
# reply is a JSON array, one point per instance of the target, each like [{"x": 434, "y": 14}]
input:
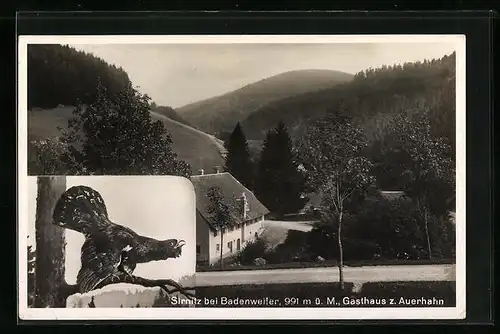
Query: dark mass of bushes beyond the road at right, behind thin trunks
[{"x": 384, "y": 229}]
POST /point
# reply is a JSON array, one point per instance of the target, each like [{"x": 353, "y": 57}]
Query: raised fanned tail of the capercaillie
[{"x": 81, "y": 209}]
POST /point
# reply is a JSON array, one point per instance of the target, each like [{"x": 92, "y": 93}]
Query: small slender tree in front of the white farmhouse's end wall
[{"x": 220, "y": 215}]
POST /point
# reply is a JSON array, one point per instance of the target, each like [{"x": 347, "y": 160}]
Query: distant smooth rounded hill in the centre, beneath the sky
[{"x": 221, "y": 113}]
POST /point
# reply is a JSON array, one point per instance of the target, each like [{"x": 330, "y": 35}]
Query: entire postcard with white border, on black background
[{"x": 308, "y": 177}]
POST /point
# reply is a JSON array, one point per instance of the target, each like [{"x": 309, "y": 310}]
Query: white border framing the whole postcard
[{"x": 457, "y": 312}]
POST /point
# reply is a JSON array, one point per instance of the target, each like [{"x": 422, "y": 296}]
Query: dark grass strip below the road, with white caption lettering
[{"x": 386, "y": 294}]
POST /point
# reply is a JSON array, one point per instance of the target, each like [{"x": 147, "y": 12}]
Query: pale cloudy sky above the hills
[{"x": 178, "y": 74}]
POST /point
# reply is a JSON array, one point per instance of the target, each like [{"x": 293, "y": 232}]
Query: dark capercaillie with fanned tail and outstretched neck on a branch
[{"x": 111, "y": 251}]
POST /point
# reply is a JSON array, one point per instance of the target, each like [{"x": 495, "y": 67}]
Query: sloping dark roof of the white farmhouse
[{"x": 231, "y": 190}]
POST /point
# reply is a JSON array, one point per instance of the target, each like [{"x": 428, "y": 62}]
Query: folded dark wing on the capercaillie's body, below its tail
[{"x": 100, "y": 260}]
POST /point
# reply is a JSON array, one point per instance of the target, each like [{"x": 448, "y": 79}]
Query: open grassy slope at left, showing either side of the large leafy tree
[{"x": 193, "y": 146}]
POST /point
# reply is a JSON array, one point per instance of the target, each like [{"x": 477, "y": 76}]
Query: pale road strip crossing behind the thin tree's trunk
[{"x": 329, "y": 274}]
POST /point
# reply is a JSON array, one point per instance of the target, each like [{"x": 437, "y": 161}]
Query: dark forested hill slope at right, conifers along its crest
[{"x": 372, "y": 94}]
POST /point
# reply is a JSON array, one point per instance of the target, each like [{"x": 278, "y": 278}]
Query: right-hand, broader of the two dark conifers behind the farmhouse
[{"x": 279, "y": 183}]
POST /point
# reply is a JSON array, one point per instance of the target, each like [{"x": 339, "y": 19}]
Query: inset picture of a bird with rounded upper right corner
[{"x": 109, "y": 241}]
